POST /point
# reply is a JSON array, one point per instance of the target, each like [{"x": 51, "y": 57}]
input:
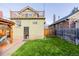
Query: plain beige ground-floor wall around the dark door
[{"x": 36, "y": 31}]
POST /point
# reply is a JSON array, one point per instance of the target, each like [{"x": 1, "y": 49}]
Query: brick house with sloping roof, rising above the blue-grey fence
[{"x": 69, "y": 21}]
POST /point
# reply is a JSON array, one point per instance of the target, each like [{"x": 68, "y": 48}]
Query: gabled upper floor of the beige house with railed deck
[{"x": 27, "y": 12}]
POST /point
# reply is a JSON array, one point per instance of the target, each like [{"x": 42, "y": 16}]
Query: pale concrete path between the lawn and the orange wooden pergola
[{"x": 12, "y": 48}]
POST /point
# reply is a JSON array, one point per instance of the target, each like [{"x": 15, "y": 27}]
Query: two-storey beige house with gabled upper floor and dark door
[{"x": 29, "y": 23}]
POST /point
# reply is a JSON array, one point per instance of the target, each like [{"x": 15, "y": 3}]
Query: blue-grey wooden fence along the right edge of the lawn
[{"x": 71, "y": 34}]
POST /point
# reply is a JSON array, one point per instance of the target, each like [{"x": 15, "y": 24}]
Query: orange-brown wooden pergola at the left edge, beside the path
[{"x": 6, "y": 32}]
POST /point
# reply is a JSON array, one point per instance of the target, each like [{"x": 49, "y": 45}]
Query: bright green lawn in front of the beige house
[{"x": 52, "y": 46}]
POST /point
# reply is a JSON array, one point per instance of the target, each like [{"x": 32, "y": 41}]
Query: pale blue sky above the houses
[{"x": 60, "y": 9}]
